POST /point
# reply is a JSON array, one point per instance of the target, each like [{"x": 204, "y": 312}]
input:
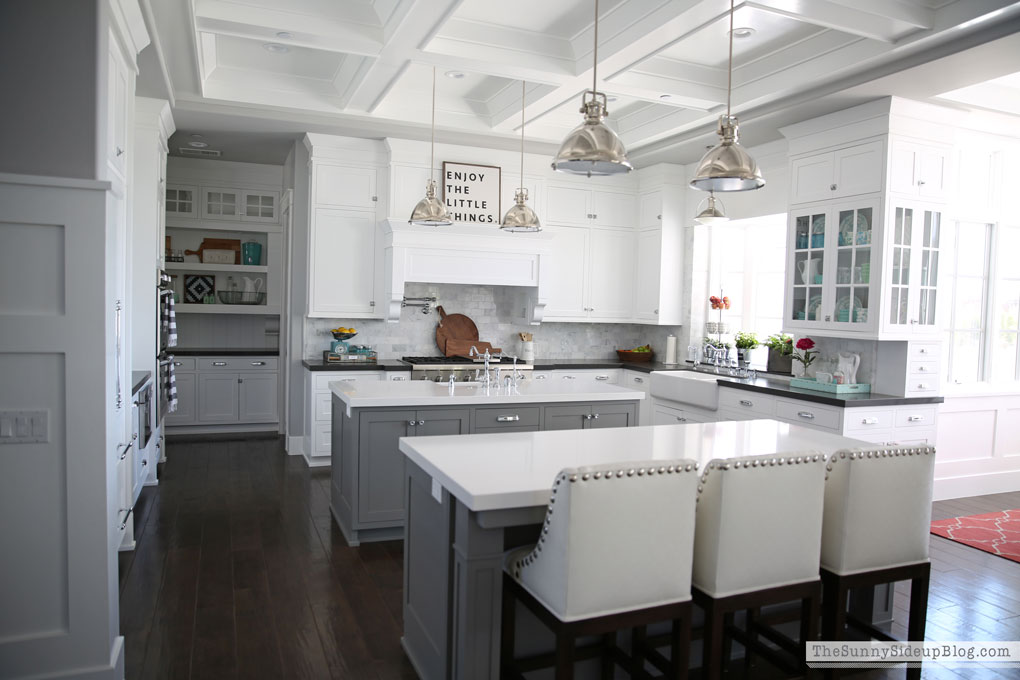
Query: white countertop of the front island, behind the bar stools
[{"x": 517, "y": 470}]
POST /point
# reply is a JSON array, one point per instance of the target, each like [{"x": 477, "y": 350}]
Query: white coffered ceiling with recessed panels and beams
[{"x": 365, "y": 68}]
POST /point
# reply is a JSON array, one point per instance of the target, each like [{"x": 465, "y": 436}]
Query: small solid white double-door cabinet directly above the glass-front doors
[{"x": 849, "y": 172}]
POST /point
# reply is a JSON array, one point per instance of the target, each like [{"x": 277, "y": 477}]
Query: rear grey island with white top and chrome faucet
[{"x": 368, "y": 496}]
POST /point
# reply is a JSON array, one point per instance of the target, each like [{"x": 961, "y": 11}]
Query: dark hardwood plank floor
[{"x": 240, "y": 572}]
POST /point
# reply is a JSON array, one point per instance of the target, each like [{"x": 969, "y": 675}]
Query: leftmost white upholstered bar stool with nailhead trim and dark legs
[{"x": 616, "y": 553}]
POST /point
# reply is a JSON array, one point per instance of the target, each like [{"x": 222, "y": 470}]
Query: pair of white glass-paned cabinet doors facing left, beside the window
[{"x": 831, "y": 283}]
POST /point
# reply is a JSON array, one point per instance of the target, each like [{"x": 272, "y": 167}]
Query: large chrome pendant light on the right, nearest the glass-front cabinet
[{"x": 728, "y": 167}]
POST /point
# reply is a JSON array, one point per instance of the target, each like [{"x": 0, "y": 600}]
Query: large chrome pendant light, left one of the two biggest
[{"x": 593, "y": 148}]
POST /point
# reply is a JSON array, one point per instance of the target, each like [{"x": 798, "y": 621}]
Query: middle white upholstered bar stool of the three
[{"x": 757, "y": 542}]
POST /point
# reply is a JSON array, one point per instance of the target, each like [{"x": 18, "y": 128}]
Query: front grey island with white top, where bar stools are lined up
[{"x": 472, "y": 499}]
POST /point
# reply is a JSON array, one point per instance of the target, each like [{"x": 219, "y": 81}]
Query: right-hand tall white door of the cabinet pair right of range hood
[{"x": 611, "y": 275}]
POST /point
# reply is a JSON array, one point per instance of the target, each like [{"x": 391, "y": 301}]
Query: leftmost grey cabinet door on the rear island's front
[{"x": 381, "y": 465}]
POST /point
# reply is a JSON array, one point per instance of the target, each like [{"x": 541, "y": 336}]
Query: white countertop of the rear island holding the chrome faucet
[{"x": 384, "y": 393}]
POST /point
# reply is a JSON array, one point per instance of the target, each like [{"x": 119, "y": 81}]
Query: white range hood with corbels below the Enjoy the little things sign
[{"x": 463, "y": 254}]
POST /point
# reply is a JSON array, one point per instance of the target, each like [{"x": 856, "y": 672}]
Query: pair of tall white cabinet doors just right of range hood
[{"x": 593, "y": 275}]
